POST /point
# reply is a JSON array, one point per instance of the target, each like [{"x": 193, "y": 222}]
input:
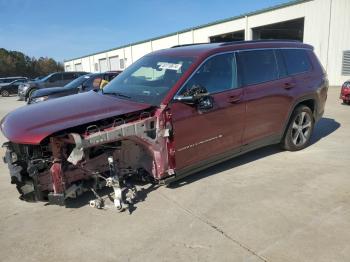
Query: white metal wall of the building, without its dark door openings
[{"x": 326, "y": 27}]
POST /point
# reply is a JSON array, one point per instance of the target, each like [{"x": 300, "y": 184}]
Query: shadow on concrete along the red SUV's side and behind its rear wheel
[{"x": 323, "y": 128}]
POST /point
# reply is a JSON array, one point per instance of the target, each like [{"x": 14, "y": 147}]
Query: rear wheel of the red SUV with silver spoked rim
[{"x": 299, "y": 130}]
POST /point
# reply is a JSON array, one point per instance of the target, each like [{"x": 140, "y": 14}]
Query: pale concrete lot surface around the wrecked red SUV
[{"x": 268, "y": 205}]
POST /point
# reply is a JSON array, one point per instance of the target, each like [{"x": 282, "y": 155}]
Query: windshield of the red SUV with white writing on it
[{"x": 149, "y": 79}]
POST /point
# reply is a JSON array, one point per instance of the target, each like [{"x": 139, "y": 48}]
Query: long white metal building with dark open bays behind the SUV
[{"x": 325, "y": 24}]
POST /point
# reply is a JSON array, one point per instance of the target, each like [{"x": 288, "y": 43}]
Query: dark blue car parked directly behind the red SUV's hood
[{"x": 83, "y": 83}]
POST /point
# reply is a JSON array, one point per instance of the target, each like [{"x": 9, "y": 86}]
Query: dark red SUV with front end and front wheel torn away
[{"x": 170, "y": 114}]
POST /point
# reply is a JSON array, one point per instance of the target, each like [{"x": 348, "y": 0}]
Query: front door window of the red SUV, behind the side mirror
[{"x": 216, "y": 75}]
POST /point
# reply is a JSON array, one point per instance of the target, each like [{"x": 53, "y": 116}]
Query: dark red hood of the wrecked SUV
[{"x": 31, "y": 124}]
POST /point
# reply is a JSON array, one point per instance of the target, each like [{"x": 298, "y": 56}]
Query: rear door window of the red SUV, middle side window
[{"x": 257, "y": 66}]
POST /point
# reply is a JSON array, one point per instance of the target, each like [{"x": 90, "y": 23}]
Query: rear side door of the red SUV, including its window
[{"x": 267, "y": 94}]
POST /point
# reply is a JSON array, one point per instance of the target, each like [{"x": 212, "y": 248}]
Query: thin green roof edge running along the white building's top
[{"x": 291, "y": 3}]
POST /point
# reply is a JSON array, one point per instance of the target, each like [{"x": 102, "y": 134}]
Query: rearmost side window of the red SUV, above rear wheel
[{"x": 297, "y": 61}]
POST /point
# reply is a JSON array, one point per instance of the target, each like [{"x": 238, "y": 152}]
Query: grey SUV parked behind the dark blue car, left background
[{"x": 52, "y": 80}]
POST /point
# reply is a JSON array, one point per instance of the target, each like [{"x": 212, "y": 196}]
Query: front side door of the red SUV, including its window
[{"x": 202, "y": 135}]
